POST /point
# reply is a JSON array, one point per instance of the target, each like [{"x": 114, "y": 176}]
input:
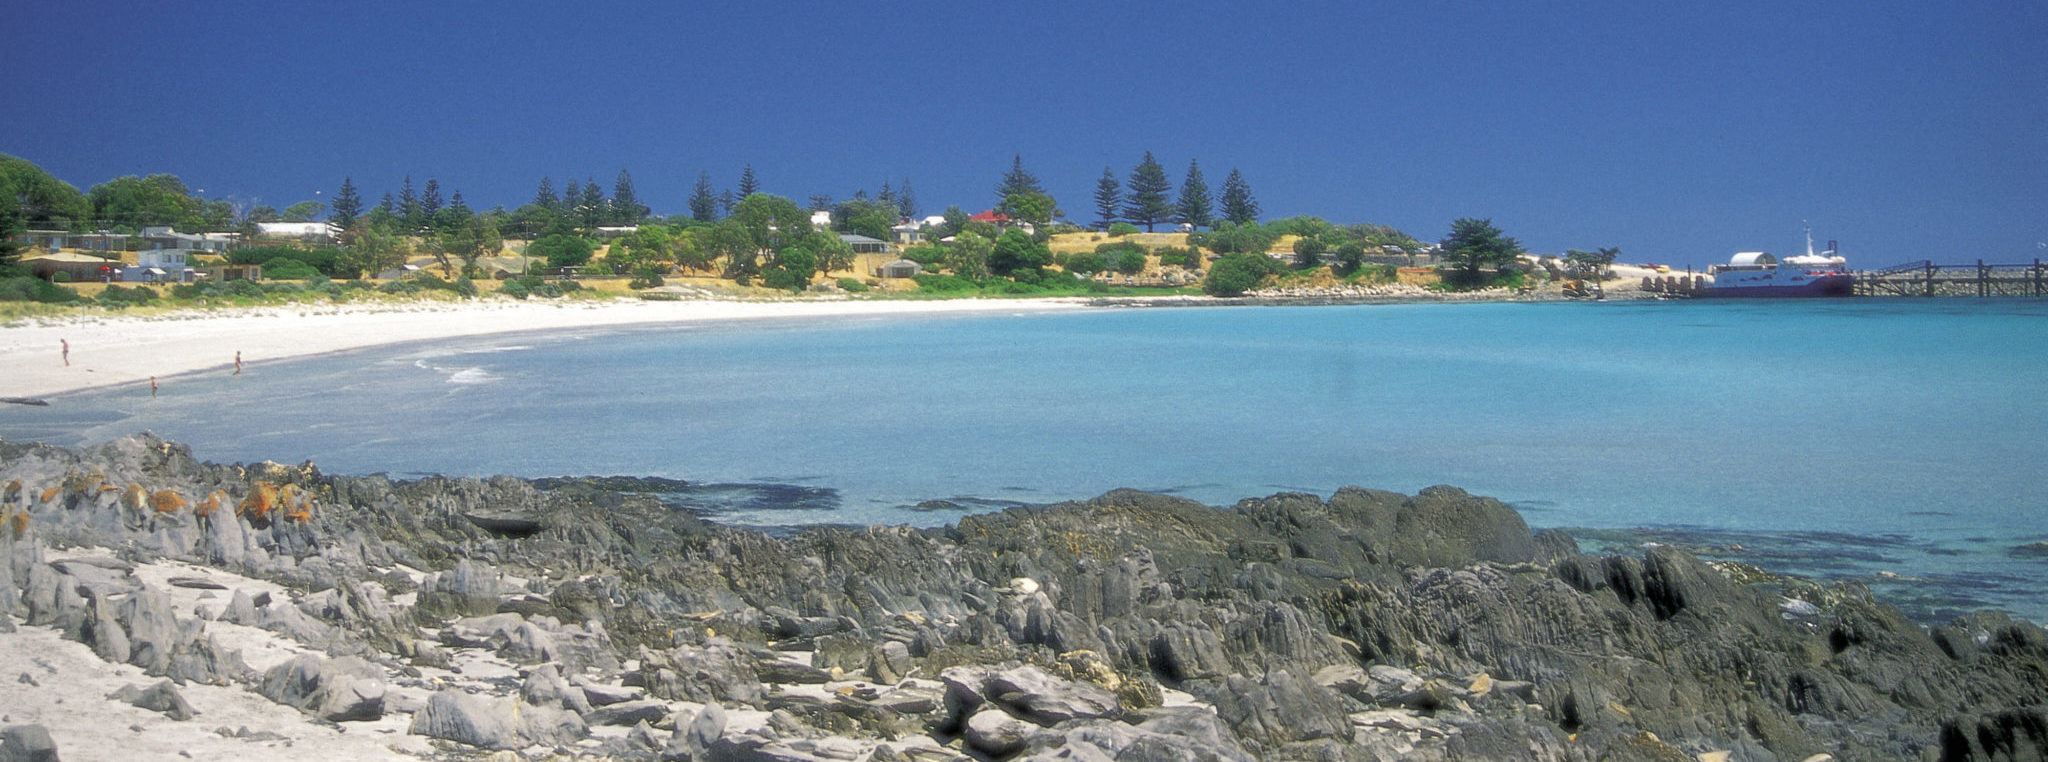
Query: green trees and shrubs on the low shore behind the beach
[{"x": 740, "y": 241}]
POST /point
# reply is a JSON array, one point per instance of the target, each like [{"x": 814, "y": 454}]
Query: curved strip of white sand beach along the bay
[{"x": 122, "y": 349}]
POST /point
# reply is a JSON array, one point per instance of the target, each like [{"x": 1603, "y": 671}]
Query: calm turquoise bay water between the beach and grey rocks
[{"x": 1846, "y": 439}]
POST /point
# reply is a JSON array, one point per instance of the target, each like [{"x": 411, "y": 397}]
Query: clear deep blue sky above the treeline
[{"x": 1676, "y": 132}]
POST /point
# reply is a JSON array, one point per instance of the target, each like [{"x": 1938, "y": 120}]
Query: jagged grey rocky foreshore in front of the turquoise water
[{"x": 470, "y": 618}]
